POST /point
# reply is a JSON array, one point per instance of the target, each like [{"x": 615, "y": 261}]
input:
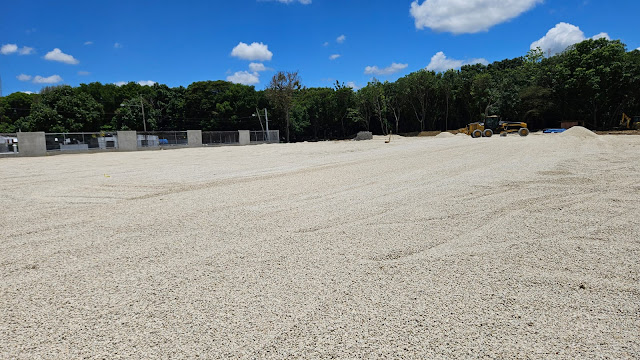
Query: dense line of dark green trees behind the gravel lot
[{"x": 593, "y": 82}]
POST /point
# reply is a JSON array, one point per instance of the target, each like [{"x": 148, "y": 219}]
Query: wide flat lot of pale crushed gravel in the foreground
[{"x": 421, "y": 248}]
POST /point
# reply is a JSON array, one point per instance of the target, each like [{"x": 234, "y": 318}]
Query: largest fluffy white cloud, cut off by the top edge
[{"x": 467, "y": 16}]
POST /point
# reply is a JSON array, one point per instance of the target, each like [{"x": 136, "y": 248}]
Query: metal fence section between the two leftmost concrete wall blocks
[{"x": 81, "y": 141}]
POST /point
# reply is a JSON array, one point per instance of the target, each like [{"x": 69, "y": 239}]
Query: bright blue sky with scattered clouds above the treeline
[{"x": 179, "y": 42}]
